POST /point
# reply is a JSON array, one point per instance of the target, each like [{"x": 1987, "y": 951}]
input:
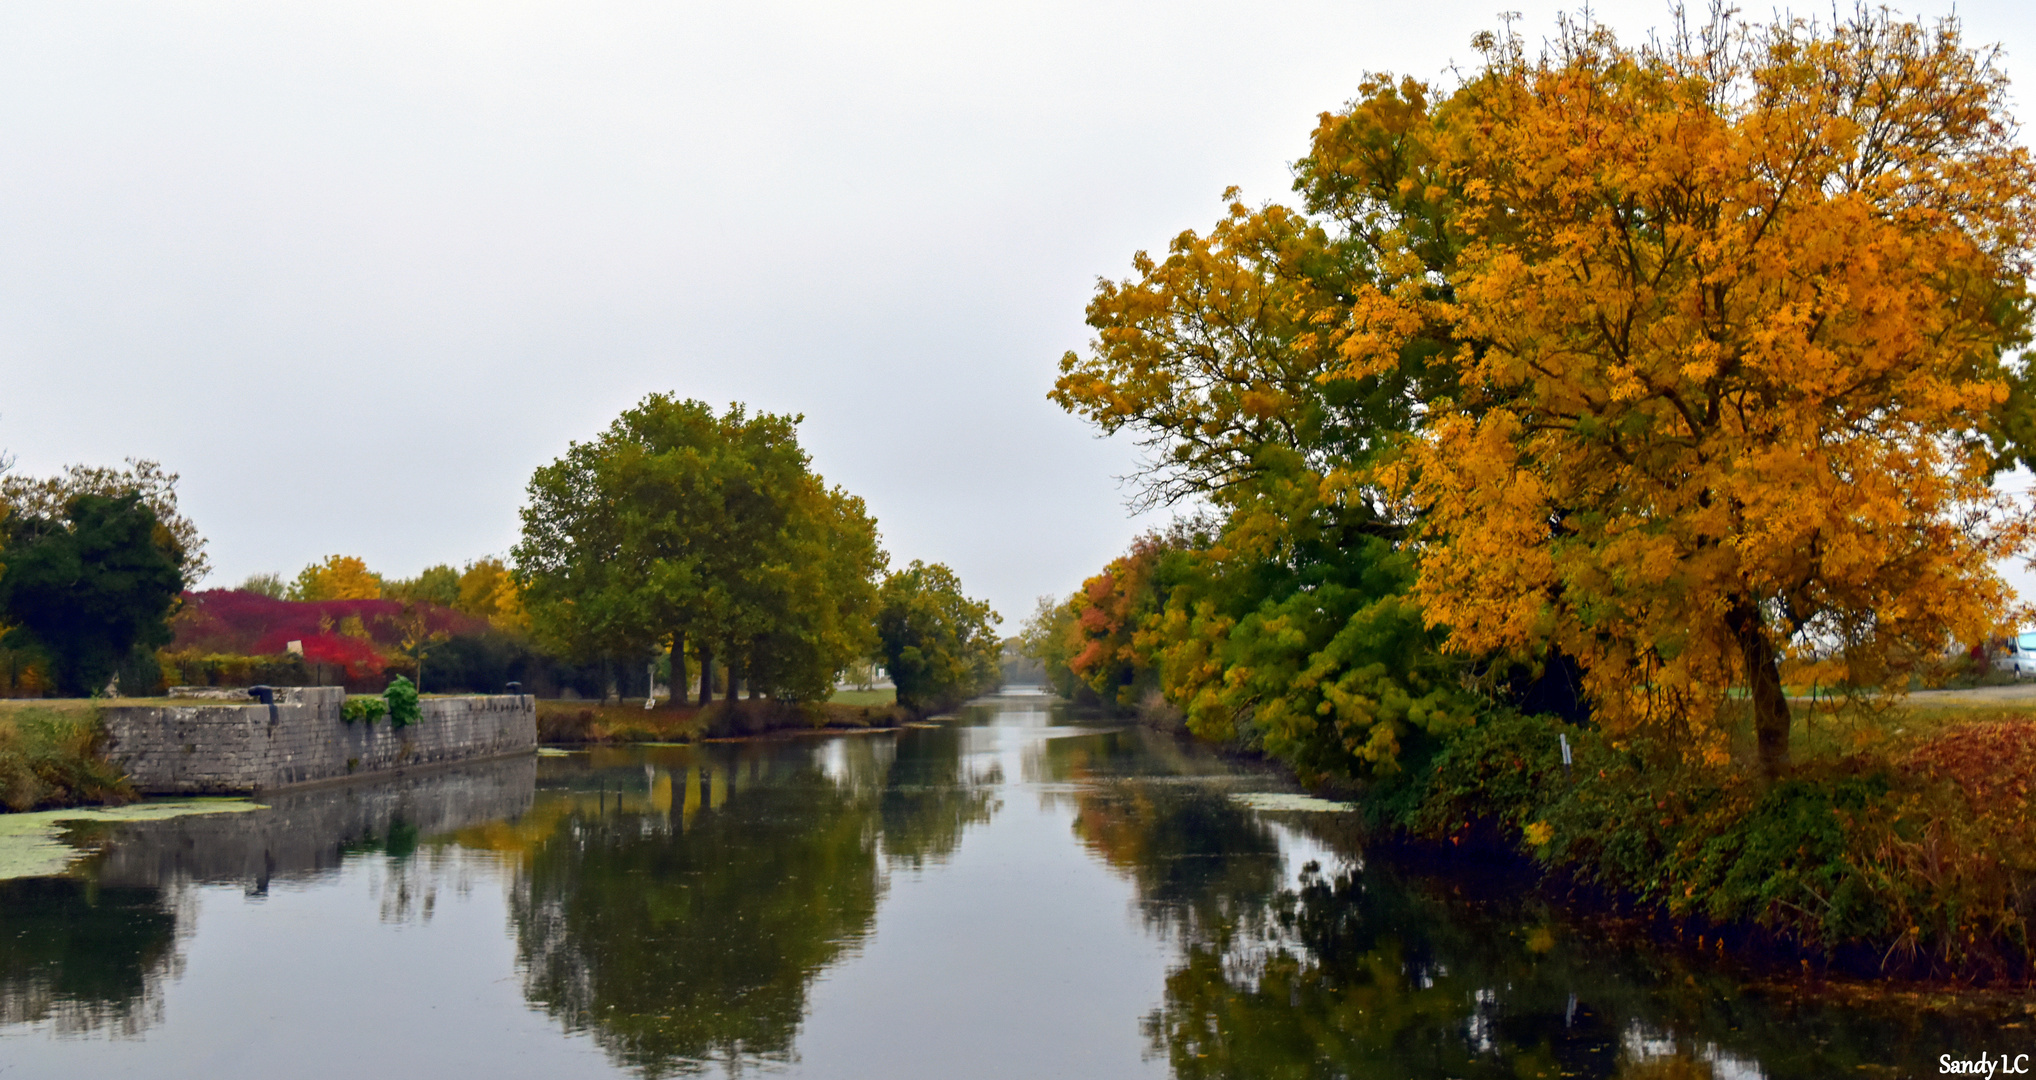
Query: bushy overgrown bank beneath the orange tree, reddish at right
[{"x": 1903, "y": 843}]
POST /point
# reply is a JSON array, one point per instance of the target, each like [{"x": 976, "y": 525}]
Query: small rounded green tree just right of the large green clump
[{"x": 940, "y": 645}]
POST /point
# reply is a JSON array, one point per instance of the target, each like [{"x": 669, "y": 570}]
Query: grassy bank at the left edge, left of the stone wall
[{"x": 50, "y": 757}]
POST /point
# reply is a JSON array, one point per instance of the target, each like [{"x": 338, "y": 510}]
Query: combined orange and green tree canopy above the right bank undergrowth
[{"x": 1675, "y": 360}]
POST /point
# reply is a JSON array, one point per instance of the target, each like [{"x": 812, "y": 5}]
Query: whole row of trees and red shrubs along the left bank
[{"x": 679, "y": 541}]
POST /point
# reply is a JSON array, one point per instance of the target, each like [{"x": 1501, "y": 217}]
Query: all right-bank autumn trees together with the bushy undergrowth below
[{"x": 1626, "y": 386}]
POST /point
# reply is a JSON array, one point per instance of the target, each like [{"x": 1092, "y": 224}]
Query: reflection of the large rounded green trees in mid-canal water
[{"x": 679, "y": 904}]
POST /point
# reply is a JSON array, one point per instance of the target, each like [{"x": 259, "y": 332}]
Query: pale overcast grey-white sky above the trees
[{"x": 357, "y": 268}]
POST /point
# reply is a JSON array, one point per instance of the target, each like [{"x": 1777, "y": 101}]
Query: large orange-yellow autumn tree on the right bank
[{"x": 1738, "y": 321}]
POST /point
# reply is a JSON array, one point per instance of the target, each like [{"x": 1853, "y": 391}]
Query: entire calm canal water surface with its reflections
[{"x": 1009, "y": 894}]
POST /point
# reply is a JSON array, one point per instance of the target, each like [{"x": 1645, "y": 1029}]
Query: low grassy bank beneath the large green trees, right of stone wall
[{"x": 632, "y": 722}]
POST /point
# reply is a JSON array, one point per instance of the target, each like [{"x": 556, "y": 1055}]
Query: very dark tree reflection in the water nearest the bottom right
[{"x": 1363, "y": 971}]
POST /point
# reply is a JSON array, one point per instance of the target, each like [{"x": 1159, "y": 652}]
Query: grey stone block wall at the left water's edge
[{"x": 213, "y": 747}]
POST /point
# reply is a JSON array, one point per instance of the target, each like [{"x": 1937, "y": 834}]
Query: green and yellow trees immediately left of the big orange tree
[{"x": 1231, "y": 364}]
